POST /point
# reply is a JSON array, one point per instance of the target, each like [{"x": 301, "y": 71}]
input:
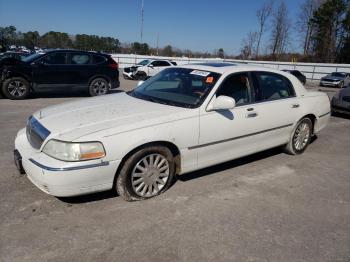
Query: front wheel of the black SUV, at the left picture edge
[{"x": 16, "y": 88}]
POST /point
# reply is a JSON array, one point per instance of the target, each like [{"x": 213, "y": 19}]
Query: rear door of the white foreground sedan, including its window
[{"x": 276, "y": 107}]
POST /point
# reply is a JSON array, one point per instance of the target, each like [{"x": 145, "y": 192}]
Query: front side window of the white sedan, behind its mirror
[{"x": 236, "y": 86}]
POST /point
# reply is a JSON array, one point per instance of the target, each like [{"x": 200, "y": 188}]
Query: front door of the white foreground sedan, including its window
[{"x": 224, "y": 134}]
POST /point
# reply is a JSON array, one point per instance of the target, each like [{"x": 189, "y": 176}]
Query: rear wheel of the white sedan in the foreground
[{"x": 300, "y": 138}]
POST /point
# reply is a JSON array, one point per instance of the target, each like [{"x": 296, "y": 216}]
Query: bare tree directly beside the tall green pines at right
[{"x": 304, "y": 27}]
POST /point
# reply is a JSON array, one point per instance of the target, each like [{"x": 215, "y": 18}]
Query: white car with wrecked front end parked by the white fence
[{"x": 146, "y": 68}]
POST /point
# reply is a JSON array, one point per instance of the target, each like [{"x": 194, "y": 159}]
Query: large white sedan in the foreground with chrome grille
[{"x": 183, "y": 119}]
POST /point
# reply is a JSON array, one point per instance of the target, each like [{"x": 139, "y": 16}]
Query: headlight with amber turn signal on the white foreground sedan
[{"x": 67, "y": 151}]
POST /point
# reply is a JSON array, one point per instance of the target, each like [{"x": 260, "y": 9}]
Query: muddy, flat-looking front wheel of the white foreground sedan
[{"x": 132, "y": 183}]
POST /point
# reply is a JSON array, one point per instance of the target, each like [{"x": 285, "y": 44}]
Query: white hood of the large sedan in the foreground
[{"x": 120, "y": 112}]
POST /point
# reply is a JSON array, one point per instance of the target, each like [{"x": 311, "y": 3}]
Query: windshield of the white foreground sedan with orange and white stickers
[{"x": 181, "y": 87}]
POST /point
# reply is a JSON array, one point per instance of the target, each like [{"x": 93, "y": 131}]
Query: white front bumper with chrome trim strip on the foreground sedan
[{"x": 61, "y": 178}]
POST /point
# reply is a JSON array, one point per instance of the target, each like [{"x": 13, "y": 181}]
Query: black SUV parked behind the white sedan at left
[{"x": 64, "y": 69}]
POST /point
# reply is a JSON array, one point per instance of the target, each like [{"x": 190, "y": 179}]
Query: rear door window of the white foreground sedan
[{"x": 272, "y": 86}]
